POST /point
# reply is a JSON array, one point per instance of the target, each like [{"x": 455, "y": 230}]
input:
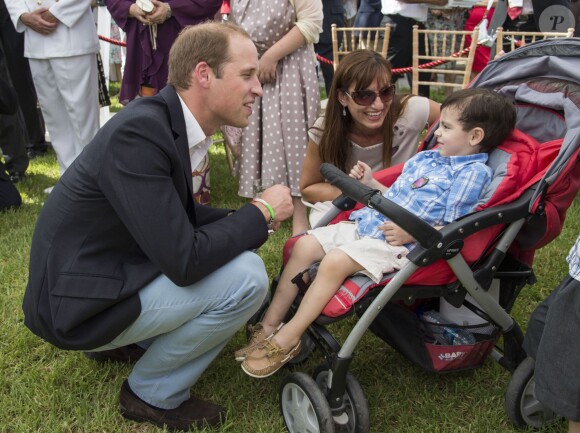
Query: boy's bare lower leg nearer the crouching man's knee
[{"x": 306, "y": 252}]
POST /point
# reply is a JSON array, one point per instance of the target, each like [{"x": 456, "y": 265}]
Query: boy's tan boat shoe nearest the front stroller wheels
[{"x": 267, "y": 358}]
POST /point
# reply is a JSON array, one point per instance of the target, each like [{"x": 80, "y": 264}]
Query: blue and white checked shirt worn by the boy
[{"x": 438, "y": 189}]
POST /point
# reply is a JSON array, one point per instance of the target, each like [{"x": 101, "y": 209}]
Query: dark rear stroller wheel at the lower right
[{"x": 521, "y": 405}]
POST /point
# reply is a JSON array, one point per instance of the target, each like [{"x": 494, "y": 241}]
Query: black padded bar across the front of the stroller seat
[{"x": 425, "y": 235}]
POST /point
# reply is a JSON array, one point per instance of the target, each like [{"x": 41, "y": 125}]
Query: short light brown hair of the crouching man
[{"x": 206, "y": 42}]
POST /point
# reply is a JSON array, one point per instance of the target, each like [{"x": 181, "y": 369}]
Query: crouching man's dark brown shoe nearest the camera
[{"x": 193, "y": 412}]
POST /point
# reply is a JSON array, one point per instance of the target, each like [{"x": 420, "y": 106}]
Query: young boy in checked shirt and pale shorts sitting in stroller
[{"x": 438, "y": 186}]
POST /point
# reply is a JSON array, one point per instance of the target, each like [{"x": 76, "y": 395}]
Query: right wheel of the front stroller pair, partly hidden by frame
[{"x": 356, "y": 417}]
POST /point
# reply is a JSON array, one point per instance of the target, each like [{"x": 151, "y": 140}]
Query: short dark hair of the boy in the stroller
[{"x": 484, "y": 108}]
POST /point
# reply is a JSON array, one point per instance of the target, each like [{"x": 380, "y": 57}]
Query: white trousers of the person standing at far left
[{"x": 67, "y": 89}]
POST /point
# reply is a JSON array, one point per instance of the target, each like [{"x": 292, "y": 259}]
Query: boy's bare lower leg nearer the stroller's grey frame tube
[{"x": 335, "y": 267}]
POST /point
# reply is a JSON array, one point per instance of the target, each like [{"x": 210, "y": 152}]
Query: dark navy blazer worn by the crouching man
[{"x": 121, "y": 215}]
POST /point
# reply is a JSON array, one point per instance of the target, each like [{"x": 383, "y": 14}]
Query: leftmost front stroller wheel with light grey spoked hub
[{"x": 304, "y": 406}]
